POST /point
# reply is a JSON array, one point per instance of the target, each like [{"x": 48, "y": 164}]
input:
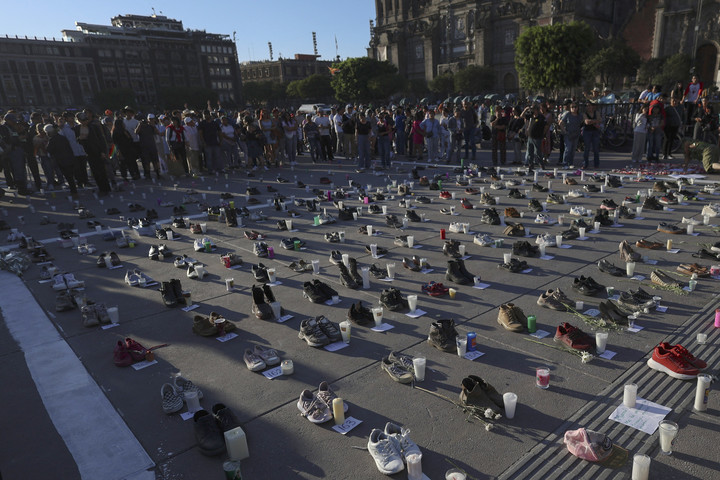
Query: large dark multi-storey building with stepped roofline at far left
[{"x": 147, "y": 54}]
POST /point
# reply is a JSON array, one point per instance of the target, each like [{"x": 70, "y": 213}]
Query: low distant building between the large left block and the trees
[{"x": 284, "y": 70}]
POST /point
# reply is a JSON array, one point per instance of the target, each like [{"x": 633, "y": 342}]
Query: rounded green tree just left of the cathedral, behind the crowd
[{"x": 363, "y": 78}]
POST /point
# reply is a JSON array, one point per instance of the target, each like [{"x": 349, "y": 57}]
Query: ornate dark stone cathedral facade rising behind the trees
[{"x": 425, "y": 38}]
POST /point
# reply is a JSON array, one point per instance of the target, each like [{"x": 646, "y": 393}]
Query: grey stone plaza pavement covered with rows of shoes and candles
[{"x": 284, "y": 445}]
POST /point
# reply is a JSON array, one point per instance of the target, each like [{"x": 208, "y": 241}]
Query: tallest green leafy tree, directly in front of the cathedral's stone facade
[{"x": 550, "y": 58}]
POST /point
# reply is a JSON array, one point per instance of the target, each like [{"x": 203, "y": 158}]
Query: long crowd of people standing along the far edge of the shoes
[{"x": 115, "y": 145}]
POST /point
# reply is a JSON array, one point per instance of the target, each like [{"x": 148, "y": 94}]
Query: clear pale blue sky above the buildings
[{"x": 287, "y": 24}]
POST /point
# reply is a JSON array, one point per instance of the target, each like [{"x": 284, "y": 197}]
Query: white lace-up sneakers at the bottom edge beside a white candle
[{"x": 391, "y": 447}]
